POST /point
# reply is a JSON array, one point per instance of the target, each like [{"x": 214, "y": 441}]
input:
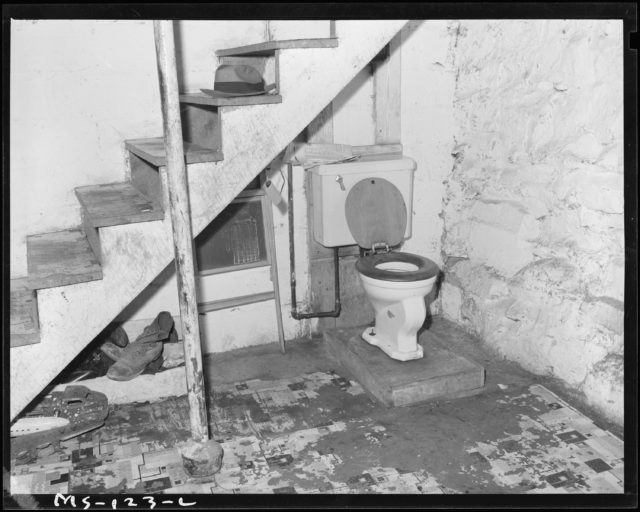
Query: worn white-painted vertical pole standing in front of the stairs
[{"x": 181, "y": 222}]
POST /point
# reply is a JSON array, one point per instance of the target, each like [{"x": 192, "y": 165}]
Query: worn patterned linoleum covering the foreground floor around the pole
[{"x": 321, "y": 433}]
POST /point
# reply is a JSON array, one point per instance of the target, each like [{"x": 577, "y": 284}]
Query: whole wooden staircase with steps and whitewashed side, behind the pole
[{"x": 81, "y": 279}]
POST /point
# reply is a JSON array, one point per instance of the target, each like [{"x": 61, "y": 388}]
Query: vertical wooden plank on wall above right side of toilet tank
[{"x": 387, "y": 95}]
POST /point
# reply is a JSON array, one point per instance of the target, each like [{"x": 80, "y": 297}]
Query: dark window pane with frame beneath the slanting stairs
[{"x": 236, "y": 238}]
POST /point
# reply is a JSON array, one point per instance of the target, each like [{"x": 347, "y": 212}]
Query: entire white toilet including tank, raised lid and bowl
[{"x": 369, "y": 203}]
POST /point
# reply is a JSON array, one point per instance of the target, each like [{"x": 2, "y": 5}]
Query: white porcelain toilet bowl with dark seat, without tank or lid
[{"x": 396, "y": 284}]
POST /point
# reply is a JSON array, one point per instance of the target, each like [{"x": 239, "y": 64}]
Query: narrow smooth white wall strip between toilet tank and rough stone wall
[{"x": 428, "y": 81}]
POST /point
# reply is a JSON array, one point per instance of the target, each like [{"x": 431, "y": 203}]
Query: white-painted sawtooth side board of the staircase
[{"x": 134, "y": 254}]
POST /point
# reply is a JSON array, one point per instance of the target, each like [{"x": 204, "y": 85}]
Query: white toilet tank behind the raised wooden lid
[{"x": 331, "y": 184}]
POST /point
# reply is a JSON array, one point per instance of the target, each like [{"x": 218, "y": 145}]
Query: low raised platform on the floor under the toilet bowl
[{"x": 440, "y": 374}]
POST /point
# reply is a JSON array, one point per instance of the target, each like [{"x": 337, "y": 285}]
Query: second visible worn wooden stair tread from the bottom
[{"x": 61, "y": 258}]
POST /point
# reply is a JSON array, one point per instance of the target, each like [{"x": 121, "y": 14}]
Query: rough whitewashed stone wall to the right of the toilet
[{"x": 533, "y": 239}]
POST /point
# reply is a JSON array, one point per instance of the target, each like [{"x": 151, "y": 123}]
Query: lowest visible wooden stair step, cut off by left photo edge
[{"x": 23, "y": 317}]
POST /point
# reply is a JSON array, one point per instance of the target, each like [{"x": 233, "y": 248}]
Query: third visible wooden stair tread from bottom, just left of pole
[{"x": 117, "y": 203}]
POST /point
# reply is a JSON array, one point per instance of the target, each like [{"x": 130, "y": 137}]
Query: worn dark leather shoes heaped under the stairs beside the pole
[{"x": 143, "y": 354}]
